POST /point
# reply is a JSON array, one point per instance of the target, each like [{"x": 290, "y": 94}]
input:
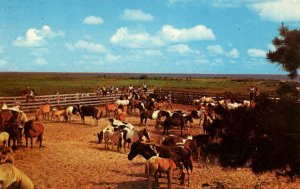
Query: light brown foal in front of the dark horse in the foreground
[{"x": 156, "y": 164}]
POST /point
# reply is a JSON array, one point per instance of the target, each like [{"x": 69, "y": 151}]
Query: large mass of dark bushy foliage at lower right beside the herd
[{"x": 267, "y": 136}]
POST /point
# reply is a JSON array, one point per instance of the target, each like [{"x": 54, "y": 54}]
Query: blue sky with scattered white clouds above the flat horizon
[{"x": 142, "y": 36}]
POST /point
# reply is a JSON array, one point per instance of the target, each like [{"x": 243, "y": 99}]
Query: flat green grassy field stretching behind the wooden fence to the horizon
[{"x": 12, "y": 84}]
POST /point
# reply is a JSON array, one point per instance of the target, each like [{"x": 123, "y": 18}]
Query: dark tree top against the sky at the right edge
[{"x": 287, "y": 53}]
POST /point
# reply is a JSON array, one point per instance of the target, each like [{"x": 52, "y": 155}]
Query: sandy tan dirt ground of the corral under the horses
[{"x": 72, "y": 159}]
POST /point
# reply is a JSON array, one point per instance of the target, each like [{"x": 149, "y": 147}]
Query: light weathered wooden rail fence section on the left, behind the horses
[{"x": 60, "y": 100}]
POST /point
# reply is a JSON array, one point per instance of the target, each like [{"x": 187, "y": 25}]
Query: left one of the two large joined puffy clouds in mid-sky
[{"x": 135, "y": 40}]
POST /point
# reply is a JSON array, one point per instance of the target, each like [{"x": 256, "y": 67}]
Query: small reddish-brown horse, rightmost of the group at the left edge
[{"x": 32, "y": 130}]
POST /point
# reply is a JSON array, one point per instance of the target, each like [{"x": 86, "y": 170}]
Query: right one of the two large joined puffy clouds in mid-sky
[{"x": 199, "y": 32}]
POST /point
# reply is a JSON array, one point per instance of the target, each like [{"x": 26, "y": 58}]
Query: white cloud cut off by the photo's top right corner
[{"x": 278, "y": 10}]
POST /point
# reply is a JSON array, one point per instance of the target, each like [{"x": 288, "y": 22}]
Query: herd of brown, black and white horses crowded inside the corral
[{"x": 172, "y": 153}]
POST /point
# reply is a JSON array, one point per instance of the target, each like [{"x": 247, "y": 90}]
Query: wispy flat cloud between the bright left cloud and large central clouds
[{"x": 88, "y": 46}]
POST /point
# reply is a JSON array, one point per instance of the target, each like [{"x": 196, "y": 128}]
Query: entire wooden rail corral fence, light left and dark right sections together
[{"x": 178, "y": 97}]
